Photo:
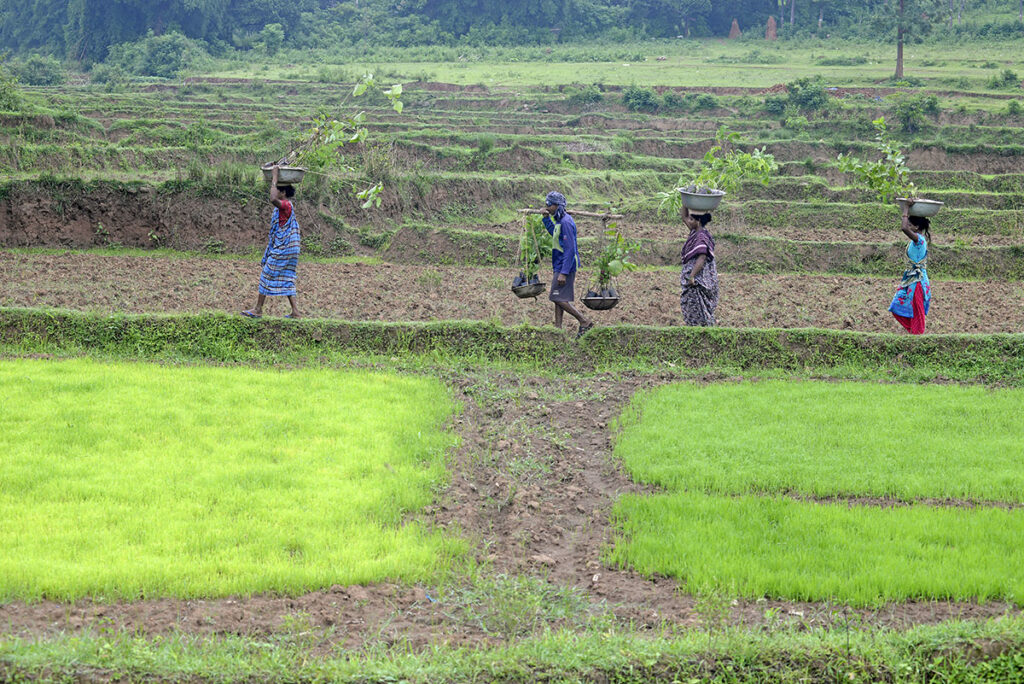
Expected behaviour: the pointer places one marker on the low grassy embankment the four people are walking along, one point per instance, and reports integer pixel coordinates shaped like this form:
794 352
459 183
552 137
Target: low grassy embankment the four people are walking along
220 338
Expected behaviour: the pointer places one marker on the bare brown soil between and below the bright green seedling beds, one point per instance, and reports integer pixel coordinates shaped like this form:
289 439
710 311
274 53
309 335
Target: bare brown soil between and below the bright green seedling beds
548 520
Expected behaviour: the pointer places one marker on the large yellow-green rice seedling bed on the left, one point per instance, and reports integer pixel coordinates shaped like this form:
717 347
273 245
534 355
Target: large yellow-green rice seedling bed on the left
122 482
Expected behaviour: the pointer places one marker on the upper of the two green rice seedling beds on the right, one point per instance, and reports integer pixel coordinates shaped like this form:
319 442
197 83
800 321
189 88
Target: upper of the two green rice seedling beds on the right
828 440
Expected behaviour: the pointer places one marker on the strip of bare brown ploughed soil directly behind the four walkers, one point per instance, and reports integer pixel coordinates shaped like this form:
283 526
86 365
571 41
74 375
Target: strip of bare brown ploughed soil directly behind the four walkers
396 292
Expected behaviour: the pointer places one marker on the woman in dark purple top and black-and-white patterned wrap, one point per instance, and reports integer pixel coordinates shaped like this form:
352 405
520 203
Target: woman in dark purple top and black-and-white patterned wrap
700 277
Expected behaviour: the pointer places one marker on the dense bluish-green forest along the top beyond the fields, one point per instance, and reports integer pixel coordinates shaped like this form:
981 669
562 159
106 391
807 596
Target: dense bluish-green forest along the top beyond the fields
87 30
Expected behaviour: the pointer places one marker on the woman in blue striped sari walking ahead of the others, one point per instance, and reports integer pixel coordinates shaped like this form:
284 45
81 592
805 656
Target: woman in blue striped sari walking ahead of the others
282 255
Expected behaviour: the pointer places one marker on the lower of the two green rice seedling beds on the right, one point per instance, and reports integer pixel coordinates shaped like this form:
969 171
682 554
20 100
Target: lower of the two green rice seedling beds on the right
777 547
